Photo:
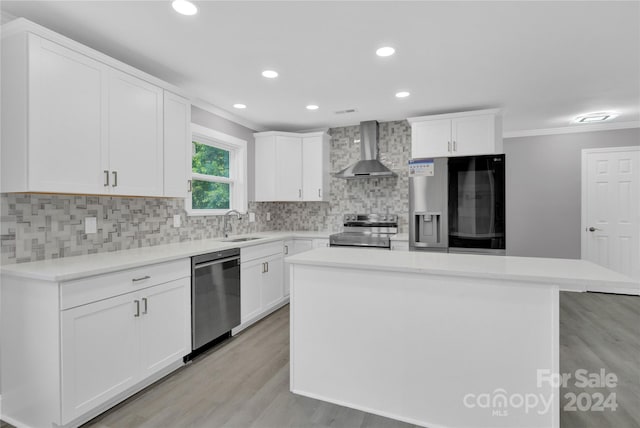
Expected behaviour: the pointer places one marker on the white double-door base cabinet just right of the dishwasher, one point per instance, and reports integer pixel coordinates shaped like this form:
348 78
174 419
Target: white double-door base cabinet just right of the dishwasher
261 281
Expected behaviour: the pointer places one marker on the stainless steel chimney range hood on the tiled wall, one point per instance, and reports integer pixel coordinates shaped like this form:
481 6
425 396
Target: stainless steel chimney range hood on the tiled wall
368 166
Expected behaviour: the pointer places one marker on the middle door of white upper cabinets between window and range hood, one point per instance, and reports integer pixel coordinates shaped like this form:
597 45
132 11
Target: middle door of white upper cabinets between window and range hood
288 168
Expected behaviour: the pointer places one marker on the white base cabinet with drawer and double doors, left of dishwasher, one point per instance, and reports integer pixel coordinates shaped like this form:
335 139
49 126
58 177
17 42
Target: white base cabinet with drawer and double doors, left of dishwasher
72 349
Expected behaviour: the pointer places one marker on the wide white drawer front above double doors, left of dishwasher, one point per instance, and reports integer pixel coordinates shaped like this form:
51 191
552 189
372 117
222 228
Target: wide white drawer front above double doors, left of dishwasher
87 290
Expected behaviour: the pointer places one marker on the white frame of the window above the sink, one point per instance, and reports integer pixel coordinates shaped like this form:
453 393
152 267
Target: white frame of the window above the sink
237 180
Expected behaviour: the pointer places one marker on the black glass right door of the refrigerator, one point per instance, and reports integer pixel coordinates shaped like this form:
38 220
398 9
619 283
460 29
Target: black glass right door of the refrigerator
477 202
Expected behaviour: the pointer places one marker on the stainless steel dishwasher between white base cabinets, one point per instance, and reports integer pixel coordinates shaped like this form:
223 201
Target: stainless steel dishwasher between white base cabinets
215 296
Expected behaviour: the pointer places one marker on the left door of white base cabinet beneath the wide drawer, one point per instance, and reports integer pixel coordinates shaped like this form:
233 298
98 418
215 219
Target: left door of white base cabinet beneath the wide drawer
100 353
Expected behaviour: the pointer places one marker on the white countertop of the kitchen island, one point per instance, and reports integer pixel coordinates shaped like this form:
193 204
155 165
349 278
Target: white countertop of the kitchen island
568 274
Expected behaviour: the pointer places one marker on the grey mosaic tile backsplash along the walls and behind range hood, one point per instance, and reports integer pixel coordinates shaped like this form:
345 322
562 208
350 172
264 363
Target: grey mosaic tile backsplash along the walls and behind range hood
39 227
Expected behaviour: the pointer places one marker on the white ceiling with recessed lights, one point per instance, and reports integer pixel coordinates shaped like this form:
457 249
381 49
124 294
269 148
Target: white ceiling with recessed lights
543 62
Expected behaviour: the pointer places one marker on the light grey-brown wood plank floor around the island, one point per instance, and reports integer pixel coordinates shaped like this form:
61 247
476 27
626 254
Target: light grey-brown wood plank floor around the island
245 382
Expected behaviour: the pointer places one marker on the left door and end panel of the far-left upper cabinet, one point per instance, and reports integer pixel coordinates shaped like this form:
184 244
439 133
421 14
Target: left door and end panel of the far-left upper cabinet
53 101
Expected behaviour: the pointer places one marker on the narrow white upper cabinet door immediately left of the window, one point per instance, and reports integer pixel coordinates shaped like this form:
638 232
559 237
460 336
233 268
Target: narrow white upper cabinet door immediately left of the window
177 145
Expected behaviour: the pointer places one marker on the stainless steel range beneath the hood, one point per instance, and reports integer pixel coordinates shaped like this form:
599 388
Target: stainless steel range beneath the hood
366 230
